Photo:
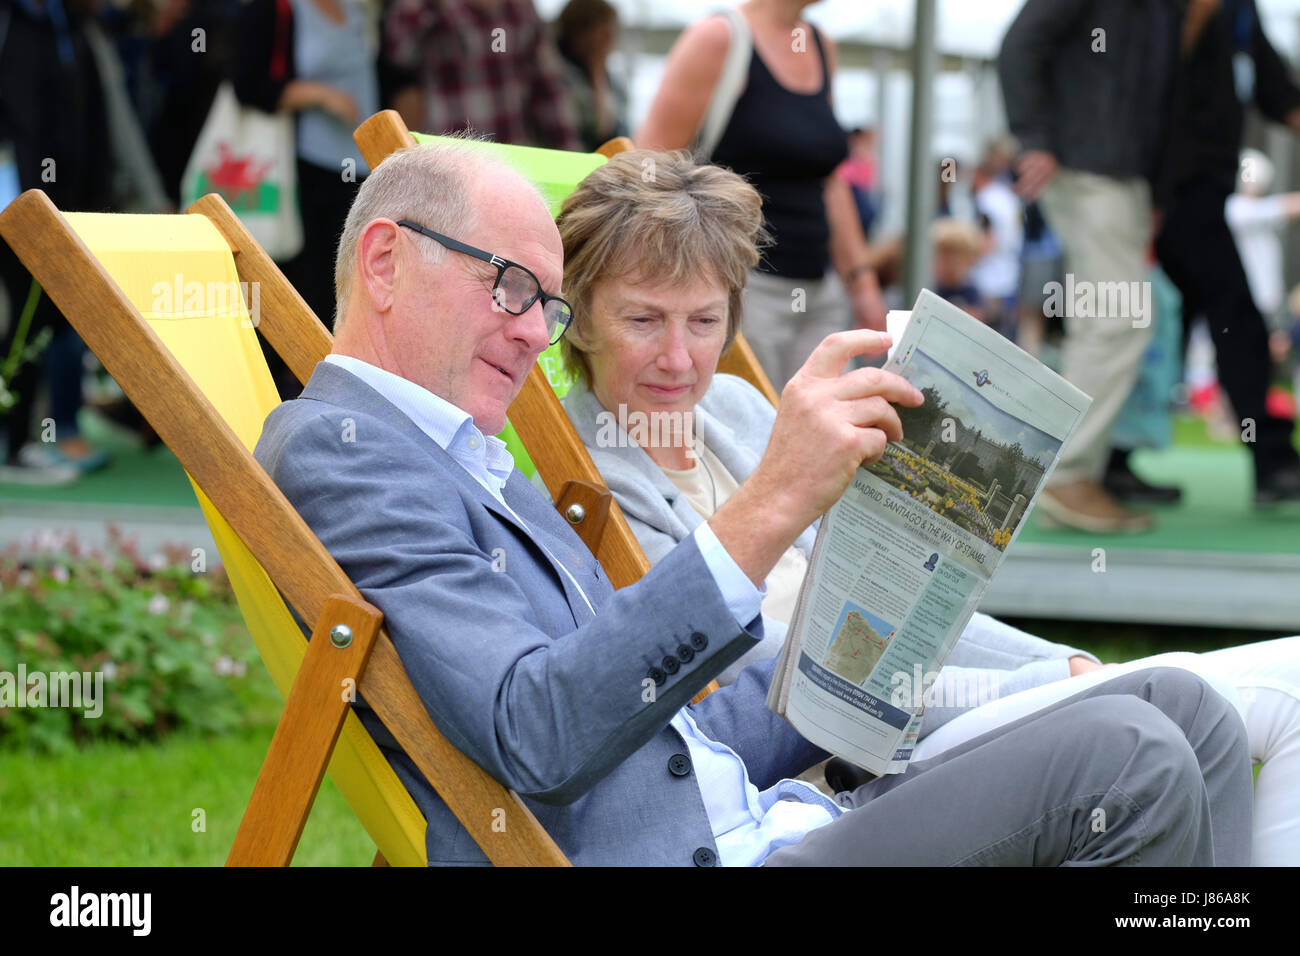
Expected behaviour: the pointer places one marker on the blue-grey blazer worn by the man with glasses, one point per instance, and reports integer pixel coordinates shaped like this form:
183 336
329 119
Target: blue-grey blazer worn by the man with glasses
566 707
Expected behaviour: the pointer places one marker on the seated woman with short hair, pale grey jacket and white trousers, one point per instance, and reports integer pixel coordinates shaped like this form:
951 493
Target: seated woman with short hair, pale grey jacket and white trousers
655 267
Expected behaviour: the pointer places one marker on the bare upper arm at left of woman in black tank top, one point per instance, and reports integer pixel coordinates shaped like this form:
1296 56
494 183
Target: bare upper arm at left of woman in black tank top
690 77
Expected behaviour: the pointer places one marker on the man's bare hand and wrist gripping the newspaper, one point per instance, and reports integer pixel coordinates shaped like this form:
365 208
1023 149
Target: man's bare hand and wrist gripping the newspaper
827 426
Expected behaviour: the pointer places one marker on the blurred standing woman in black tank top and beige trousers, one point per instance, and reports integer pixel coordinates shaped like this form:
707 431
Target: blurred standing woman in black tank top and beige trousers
785 139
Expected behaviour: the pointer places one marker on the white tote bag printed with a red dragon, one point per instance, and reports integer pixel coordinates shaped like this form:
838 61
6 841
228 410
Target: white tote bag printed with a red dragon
249 158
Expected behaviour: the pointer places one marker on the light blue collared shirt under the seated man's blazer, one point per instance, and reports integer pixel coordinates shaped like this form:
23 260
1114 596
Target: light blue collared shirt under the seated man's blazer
747 824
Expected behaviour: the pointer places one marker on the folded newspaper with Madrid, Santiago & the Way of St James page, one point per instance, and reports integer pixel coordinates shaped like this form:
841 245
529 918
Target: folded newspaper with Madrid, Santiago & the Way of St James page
903 560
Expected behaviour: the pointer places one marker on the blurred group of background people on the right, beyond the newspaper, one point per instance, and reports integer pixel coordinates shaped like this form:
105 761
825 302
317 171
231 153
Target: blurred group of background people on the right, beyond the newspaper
1124 167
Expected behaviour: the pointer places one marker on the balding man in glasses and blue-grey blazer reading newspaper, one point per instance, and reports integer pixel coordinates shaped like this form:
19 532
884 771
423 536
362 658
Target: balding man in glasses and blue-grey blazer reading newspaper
578 697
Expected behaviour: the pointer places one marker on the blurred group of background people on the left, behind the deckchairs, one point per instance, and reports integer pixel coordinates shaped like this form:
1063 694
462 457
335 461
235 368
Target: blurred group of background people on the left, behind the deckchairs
102 106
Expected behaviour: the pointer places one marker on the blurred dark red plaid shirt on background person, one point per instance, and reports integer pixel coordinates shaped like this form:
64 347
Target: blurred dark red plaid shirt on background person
487 66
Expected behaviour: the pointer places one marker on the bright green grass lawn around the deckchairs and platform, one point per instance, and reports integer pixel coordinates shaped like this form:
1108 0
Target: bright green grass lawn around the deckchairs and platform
118 804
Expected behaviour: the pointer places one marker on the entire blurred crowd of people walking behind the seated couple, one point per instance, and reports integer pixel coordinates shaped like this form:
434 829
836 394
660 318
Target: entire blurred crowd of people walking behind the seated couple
1120 175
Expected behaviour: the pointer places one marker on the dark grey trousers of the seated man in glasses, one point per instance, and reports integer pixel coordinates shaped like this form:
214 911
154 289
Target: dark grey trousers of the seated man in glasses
1149 769
